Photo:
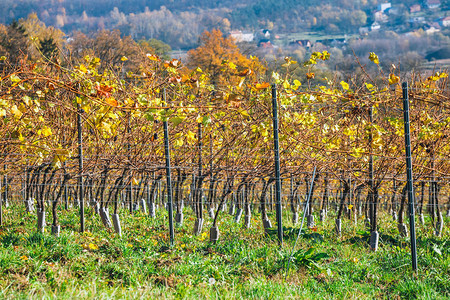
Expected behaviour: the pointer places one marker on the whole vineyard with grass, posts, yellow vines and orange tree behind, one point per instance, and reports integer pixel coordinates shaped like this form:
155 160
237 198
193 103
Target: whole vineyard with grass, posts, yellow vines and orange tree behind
147 178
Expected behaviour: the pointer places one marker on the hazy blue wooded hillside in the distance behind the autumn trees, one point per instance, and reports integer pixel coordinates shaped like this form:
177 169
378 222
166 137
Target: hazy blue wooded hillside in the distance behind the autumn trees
180 22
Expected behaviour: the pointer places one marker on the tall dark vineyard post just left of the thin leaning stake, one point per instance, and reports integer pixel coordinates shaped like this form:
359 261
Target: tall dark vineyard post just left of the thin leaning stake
277 165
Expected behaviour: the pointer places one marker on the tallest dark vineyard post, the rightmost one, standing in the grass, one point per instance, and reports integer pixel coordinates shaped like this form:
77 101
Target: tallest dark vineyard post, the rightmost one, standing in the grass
409 177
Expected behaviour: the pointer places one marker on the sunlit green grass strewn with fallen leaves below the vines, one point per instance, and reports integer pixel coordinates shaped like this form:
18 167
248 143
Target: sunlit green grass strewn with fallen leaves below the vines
243 264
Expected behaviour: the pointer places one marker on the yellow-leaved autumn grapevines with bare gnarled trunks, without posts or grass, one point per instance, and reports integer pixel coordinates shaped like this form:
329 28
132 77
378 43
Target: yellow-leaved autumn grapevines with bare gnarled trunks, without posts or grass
221 140
